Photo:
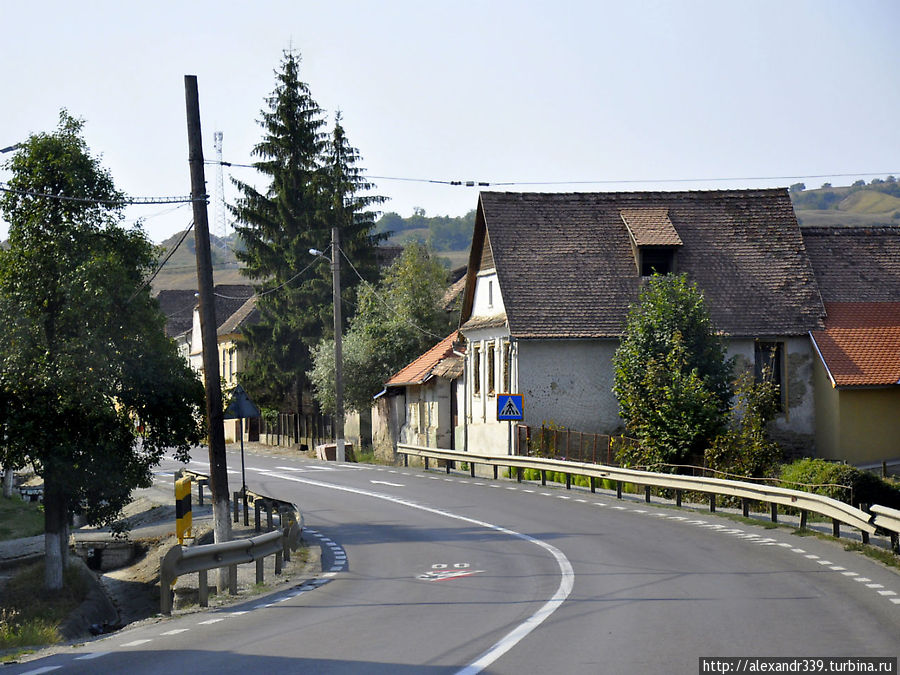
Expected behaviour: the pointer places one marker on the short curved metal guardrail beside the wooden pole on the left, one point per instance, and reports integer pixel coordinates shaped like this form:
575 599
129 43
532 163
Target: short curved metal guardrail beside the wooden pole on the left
180 560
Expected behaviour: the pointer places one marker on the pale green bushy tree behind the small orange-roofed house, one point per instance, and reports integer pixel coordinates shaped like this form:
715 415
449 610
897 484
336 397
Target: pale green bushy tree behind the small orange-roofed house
396 322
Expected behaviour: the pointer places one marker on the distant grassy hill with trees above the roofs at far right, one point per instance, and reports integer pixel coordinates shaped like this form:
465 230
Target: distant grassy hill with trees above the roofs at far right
877 203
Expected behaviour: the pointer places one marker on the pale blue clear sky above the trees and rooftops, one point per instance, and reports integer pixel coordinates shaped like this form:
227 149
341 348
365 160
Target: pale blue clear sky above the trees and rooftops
561 95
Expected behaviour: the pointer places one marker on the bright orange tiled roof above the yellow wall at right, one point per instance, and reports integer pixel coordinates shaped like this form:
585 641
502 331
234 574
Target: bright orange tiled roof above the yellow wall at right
861 343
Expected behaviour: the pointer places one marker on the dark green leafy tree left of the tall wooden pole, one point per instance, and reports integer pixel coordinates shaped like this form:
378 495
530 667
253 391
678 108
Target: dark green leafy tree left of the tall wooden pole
82 345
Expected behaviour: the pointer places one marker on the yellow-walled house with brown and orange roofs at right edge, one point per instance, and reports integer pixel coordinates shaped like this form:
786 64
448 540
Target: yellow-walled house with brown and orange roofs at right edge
857 365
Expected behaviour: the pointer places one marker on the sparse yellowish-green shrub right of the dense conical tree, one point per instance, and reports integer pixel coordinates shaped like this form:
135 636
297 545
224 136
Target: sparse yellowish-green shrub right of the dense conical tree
745 449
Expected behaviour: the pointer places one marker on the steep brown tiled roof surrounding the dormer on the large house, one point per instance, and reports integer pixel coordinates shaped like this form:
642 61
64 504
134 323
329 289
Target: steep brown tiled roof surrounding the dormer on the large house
567 270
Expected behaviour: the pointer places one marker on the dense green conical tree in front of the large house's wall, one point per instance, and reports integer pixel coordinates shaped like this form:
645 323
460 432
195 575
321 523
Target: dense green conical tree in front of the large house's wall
672 380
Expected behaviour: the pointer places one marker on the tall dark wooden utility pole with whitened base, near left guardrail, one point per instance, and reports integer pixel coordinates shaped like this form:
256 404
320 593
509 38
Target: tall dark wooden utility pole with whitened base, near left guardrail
217 467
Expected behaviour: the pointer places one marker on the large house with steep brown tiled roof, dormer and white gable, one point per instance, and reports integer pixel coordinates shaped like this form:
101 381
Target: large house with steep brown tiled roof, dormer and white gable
551 277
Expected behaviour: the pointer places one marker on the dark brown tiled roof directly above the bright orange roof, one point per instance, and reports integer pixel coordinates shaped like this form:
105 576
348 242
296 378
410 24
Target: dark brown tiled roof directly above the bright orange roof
855 264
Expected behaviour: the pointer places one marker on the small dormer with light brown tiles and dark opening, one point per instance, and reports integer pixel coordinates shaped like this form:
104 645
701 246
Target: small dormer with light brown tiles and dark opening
654 240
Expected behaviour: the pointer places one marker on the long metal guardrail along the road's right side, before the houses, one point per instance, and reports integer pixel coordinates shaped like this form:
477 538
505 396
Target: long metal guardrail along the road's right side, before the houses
807 502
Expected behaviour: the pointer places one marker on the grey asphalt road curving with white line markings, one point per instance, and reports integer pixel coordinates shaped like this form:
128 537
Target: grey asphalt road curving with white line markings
429 573
